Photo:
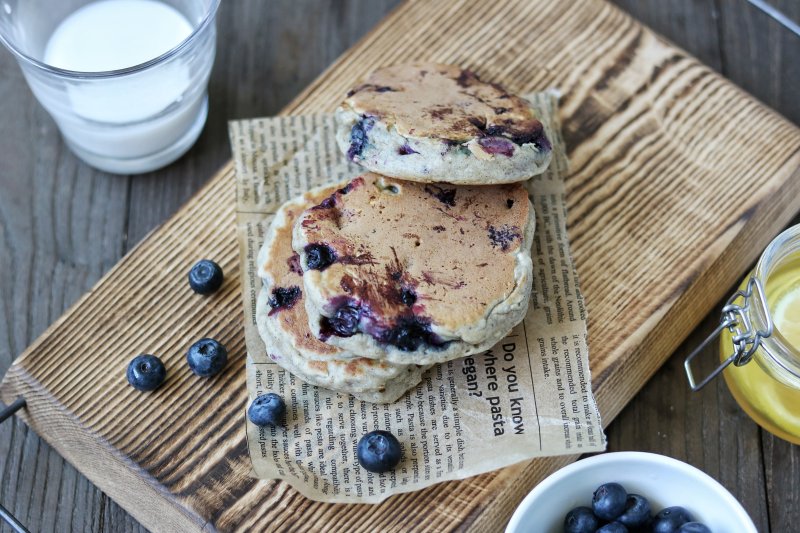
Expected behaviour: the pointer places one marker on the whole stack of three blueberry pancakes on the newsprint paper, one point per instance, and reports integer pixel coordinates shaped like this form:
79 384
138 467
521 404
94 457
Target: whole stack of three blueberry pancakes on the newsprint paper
424 258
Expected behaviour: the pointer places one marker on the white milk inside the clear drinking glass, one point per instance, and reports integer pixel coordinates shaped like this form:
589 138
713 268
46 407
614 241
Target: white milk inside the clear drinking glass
153 113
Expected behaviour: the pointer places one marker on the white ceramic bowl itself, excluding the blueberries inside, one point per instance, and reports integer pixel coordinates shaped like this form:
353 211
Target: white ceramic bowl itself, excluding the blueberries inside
662 480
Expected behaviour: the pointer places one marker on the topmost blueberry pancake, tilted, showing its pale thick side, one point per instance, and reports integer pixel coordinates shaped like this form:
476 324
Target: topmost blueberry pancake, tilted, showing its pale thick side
434 122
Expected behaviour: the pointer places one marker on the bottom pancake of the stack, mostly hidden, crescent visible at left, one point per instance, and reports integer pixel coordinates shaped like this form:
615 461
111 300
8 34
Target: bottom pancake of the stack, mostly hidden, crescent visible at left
283 323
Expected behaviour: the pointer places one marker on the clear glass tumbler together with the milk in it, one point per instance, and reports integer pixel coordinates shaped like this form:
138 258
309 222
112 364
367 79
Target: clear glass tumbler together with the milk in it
125 80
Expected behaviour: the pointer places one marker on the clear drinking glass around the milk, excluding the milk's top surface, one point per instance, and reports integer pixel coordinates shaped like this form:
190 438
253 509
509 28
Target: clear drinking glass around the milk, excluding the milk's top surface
125 121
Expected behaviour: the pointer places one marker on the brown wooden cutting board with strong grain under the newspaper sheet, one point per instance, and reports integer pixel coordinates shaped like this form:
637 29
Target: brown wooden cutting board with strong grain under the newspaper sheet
678 181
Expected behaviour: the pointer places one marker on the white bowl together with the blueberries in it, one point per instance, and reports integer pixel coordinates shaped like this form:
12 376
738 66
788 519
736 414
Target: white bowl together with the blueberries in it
630 492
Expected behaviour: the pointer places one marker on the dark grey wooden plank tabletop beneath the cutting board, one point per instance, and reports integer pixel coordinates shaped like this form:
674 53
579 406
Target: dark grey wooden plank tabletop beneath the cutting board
63 224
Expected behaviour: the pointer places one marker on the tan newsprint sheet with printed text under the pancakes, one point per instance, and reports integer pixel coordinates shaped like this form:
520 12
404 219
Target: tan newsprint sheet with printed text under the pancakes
529 396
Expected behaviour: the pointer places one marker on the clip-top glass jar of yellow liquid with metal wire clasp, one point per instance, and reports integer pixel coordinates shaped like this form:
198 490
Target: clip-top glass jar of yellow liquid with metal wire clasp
760 335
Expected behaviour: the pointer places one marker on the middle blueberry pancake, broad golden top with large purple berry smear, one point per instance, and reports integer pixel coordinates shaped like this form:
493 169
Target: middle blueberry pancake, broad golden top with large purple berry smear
416 273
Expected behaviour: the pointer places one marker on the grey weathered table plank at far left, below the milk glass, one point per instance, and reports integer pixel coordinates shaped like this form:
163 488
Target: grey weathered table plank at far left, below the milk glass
60 229
